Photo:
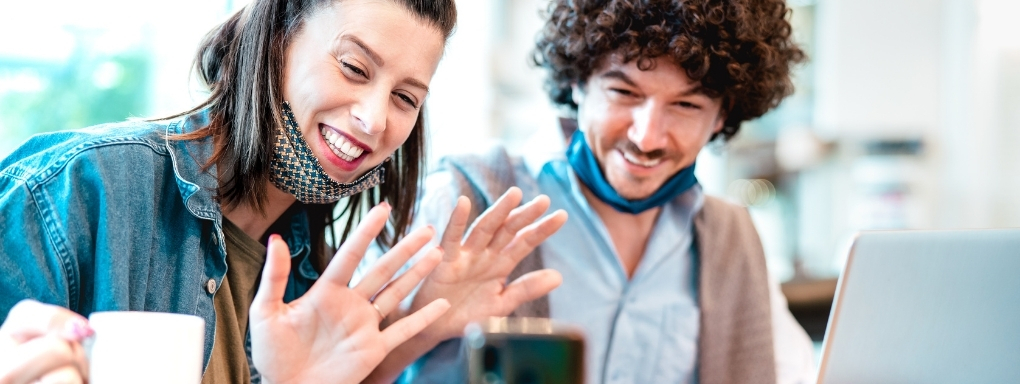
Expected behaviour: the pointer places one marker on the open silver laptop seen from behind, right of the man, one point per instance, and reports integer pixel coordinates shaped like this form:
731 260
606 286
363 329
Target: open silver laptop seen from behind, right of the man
927 307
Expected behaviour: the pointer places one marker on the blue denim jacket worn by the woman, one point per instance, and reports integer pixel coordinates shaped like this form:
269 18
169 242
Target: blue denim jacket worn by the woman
119 218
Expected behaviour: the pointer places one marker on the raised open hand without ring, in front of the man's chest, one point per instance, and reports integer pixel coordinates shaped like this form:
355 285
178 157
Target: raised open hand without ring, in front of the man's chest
473 276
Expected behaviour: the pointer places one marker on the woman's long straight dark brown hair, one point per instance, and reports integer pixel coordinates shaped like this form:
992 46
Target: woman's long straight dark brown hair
242 63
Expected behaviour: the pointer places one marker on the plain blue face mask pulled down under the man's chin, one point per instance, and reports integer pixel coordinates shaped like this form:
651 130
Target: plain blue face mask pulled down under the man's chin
585 165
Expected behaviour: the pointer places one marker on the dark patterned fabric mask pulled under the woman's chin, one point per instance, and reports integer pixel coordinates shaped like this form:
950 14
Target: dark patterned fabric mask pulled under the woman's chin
296 171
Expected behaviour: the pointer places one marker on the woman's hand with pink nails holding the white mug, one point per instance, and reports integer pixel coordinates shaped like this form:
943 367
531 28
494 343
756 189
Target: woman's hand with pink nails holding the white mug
43 343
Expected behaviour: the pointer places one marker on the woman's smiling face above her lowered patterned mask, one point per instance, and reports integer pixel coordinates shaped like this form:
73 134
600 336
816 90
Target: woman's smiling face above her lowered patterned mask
355 76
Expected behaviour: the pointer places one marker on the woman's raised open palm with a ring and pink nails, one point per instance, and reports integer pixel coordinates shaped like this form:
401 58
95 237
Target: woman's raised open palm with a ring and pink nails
333 332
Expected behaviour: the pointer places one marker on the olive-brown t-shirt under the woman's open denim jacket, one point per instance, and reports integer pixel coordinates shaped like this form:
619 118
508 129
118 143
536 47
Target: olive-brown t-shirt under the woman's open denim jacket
245 259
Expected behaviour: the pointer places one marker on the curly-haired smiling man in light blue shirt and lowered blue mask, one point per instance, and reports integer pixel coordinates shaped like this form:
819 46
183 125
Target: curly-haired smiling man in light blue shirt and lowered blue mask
670 285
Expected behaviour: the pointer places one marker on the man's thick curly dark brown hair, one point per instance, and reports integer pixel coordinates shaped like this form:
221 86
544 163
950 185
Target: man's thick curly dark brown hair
740 51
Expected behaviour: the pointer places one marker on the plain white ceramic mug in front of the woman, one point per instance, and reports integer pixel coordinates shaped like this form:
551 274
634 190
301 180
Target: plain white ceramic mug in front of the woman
146 348
